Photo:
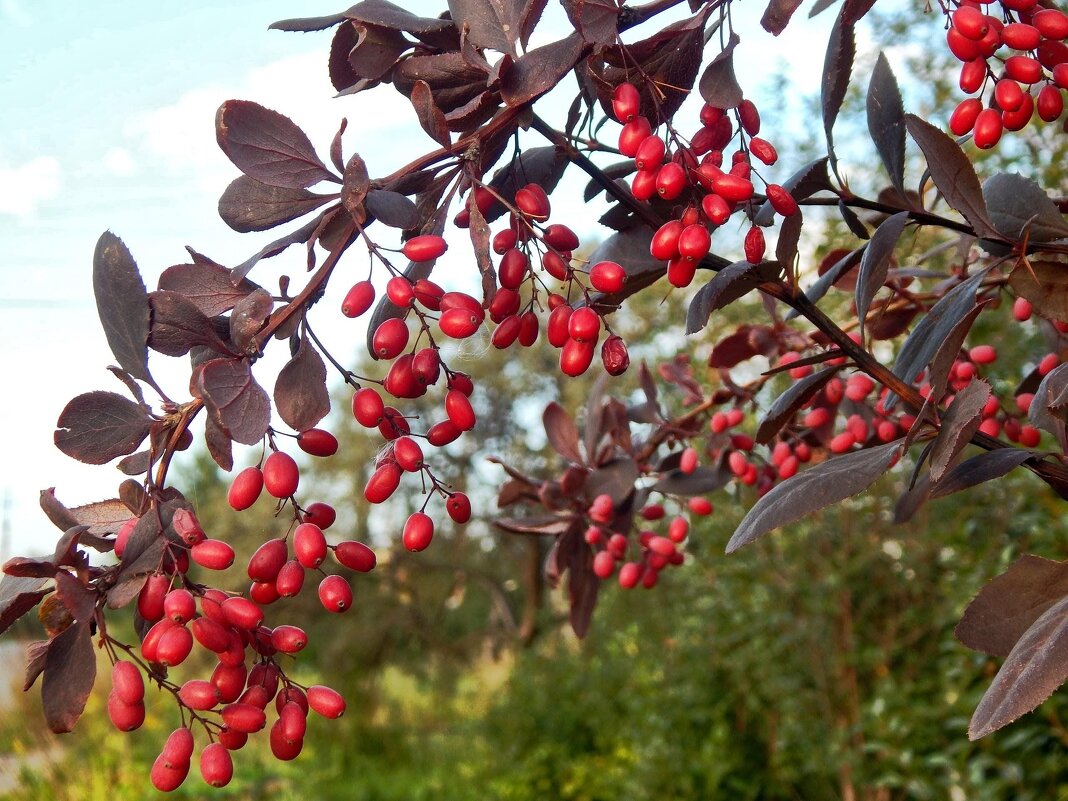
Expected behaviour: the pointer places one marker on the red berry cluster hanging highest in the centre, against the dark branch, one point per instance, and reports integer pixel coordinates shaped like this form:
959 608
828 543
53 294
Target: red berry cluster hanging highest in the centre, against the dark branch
693 176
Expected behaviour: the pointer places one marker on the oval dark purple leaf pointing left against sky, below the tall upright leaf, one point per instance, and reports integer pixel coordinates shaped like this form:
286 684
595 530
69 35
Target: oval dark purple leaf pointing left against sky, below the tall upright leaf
100 427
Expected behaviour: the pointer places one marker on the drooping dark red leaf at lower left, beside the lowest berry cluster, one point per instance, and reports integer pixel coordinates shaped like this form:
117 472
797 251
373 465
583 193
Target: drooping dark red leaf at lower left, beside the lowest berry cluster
70 674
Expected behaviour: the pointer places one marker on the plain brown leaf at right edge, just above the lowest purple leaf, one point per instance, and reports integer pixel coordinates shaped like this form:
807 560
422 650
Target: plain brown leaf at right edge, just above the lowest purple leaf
1010 605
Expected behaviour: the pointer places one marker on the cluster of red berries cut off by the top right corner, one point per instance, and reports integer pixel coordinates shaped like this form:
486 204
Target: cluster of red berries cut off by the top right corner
1029 81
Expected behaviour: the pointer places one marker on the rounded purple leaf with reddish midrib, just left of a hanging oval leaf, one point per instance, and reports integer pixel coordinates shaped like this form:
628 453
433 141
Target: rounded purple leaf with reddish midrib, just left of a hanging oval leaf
234 399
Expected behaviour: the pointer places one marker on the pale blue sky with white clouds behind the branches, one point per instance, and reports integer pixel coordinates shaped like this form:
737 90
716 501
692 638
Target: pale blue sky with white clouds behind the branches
109 113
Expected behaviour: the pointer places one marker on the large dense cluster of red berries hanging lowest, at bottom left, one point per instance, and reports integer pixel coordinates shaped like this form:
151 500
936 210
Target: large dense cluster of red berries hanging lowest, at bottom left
232 703
